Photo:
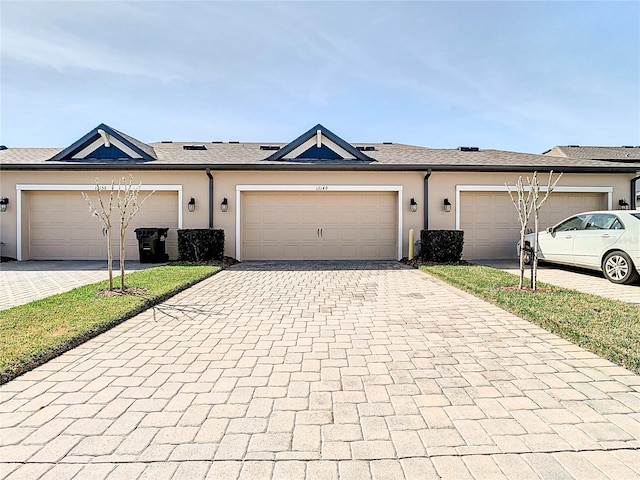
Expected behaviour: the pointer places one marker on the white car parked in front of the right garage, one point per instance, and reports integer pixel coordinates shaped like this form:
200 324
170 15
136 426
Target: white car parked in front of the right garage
608 241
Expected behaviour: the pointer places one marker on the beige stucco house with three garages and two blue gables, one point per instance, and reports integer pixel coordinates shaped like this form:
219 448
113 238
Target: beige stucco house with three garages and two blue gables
317 197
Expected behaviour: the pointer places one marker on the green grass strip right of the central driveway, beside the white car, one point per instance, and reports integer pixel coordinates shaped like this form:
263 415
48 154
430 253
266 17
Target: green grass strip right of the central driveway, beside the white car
609 328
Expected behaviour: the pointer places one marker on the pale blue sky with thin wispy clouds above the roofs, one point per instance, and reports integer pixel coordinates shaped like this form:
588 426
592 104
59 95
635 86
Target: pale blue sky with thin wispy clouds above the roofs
508 75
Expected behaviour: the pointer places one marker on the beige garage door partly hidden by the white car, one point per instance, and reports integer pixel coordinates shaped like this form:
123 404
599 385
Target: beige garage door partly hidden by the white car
490 221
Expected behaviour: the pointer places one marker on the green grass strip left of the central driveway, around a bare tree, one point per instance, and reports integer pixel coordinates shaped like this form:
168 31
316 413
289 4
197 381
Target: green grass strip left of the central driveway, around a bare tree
34 333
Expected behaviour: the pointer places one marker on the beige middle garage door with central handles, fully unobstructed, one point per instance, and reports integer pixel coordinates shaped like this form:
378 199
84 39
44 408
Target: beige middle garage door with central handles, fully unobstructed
319 225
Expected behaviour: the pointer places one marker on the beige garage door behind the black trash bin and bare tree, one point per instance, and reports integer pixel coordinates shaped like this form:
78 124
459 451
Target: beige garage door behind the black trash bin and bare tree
60 226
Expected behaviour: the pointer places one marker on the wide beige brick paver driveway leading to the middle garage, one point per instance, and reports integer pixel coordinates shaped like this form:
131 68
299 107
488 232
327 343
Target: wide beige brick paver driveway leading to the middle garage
348 371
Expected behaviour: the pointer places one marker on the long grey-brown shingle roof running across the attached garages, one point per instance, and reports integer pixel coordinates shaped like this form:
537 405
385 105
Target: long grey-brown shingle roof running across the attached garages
250 156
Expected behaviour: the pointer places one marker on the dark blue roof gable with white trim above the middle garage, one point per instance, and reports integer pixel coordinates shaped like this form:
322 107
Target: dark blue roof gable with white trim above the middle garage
319 145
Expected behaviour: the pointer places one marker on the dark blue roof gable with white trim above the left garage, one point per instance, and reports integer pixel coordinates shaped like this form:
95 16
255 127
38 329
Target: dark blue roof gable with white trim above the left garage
104 143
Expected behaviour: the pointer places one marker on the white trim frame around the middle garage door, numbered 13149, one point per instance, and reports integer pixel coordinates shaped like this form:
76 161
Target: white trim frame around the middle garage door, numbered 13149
316 188
